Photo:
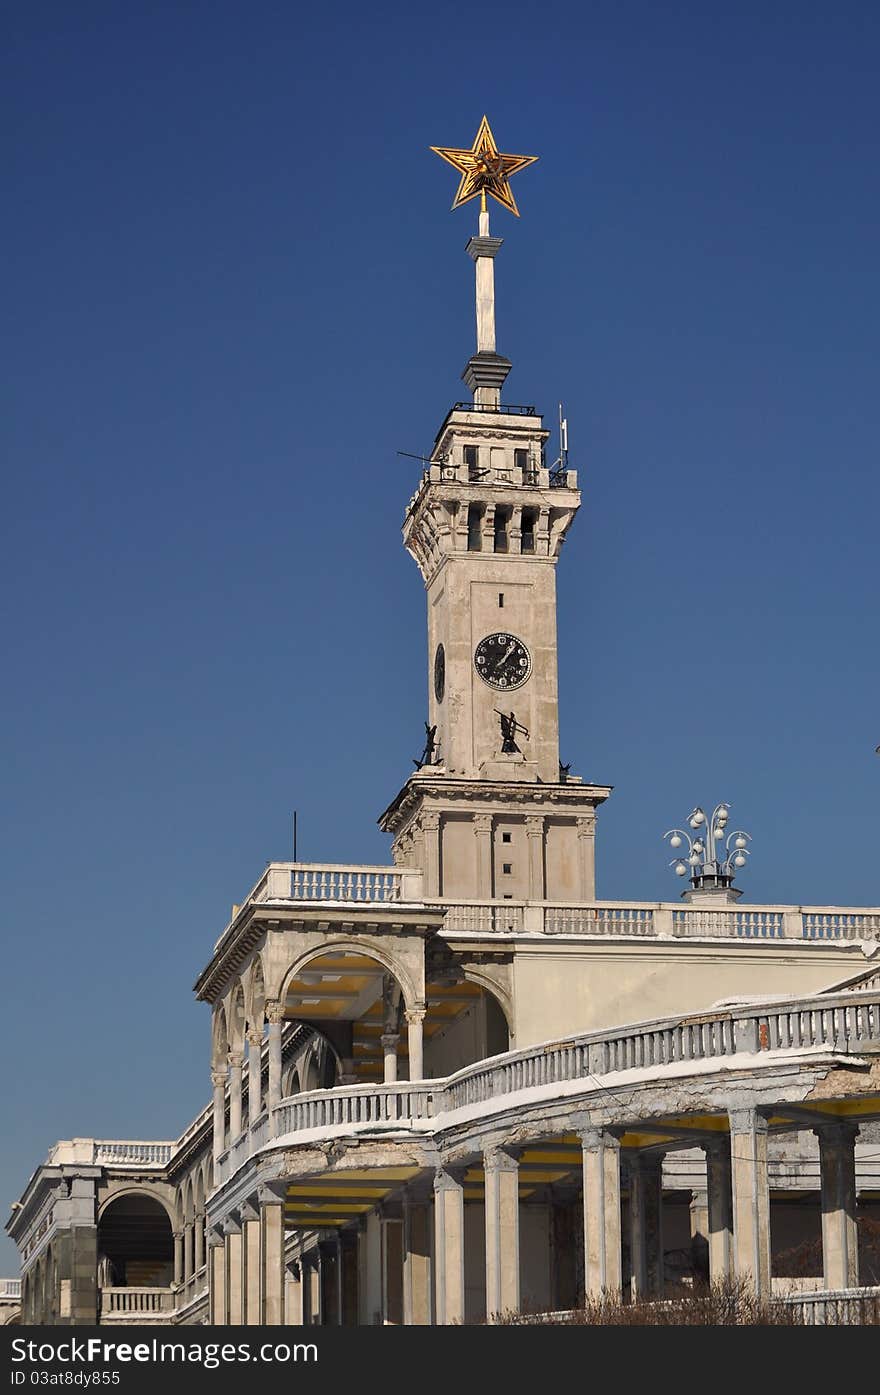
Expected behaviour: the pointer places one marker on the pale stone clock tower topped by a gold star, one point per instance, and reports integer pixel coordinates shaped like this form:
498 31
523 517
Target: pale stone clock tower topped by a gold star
494 815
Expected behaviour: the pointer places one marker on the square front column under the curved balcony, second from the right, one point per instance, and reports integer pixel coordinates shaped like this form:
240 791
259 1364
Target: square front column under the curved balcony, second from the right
751 1196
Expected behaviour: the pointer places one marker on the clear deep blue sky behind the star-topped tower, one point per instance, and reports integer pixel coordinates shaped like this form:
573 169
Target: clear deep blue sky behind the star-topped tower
235 289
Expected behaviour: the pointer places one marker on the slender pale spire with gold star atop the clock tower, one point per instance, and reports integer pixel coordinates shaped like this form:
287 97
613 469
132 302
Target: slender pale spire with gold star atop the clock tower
485 171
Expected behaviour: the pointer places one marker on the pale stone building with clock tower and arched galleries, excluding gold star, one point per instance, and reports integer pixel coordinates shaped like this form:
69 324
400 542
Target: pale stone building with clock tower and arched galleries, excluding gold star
461 1086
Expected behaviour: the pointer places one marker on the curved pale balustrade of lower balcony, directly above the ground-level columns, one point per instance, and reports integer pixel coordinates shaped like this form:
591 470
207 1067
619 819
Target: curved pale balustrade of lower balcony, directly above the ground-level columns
842 1025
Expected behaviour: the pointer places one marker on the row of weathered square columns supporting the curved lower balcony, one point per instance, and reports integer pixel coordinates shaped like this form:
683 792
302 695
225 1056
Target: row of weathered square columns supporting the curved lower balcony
412 1260
